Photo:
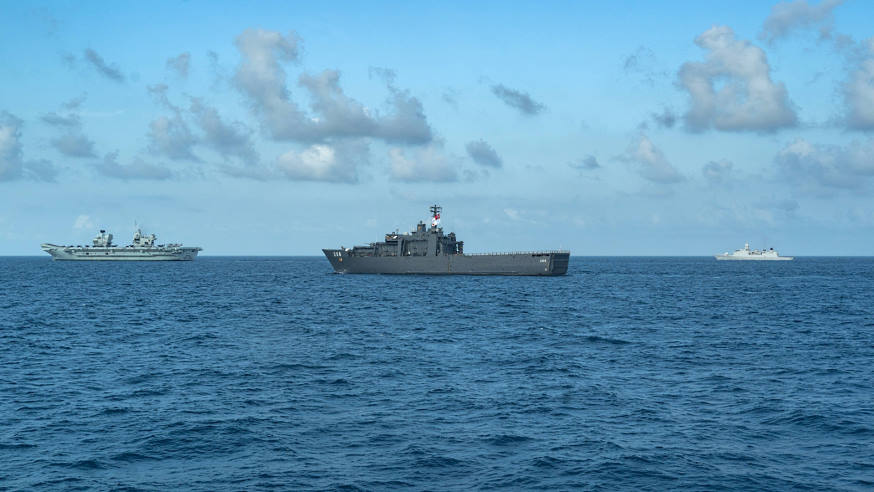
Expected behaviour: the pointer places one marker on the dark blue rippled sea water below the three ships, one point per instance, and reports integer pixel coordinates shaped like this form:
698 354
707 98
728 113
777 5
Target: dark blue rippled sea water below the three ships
260 373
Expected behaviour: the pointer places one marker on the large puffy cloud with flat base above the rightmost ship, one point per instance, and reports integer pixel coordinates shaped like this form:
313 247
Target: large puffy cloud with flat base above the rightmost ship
732 90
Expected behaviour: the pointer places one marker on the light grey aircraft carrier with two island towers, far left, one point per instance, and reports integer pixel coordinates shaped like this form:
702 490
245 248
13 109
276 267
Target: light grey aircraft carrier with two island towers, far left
143 248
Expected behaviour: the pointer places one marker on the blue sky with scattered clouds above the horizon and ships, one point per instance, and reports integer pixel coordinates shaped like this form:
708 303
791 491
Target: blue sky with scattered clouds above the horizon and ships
281 128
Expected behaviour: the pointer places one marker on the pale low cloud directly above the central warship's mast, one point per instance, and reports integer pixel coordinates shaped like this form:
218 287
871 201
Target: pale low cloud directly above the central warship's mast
427 163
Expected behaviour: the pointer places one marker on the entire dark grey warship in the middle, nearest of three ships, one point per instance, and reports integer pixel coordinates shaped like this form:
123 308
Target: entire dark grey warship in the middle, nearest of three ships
429 251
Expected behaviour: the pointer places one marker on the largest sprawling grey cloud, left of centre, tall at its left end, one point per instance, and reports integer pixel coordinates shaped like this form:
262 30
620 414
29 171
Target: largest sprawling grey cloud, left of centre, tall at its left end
333 114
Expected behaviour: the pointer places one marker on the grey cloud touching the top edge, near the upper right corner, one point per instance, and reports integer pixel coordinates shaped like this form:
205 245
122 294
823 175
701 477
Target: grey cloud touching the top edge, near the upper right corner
790 16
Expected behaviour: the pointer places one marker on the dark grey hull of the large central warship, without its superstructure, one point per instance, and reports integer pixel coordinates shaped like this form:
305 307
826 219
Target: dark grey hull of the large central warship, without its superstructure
537 264
